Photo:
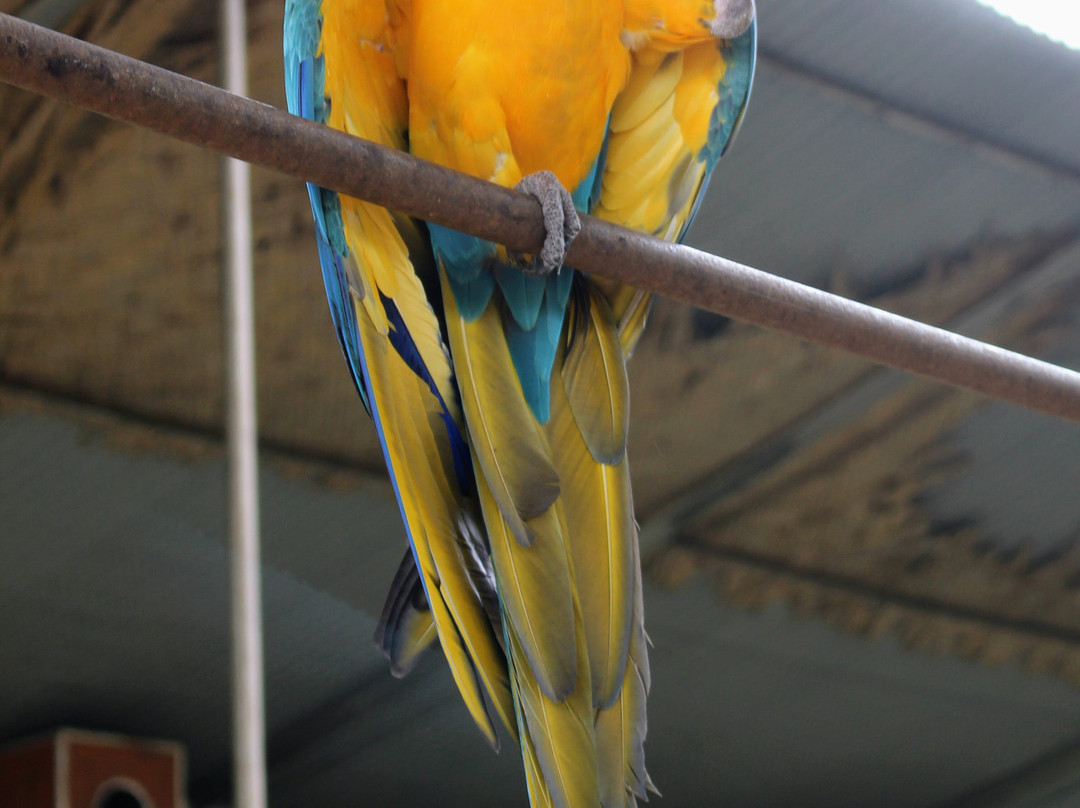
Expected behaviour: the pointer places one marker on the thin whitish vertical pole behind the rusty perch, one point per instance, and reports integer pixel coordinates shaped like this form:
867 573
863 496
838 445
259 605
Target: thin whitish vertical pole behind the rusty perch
241 427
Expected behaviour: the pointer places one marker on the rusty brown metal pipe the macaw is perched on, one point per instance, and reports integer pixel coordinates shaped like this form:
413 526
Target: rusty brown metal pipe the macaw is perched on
102 82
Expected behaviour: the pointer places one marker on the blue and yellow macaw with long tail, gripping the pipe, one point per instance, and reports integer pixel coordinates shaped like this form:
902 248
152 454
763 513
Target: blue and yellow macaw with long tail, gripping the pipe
498 383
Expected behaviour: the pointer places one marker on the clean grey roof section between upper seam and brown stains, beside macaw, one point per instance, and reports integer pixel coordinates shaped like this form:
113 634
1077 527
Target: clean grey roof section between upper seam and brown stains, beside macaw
817 187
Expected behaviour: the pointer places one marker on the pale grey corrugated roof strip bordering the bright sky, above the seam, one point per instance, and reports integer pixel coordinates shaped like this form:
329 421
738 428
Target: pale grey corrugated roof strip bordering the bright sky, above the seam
955 61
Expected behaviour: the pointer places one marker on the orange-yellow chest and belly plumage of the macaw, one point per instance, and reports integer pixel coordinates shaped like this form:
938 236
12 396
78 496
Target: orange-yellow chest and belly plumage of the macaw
504 90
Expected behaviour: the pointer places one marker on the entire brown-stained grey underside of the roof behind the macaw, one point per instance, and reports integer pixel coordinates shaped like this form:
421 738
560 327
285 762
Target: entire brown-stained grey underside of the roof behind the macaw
862 588
